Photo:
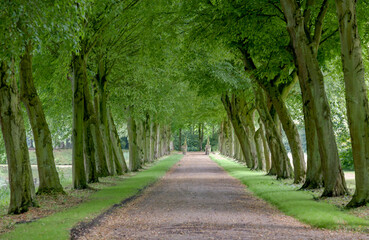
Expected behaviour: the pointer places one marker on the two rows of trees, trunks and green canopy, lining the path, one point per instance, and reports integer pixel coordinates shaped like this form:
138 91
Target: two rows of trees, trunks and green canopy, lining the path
254 80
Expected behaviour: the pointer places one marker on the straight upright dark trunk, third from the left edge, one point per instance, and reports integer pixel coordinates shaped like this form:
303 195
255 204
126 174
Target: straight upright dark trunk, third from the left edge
78 168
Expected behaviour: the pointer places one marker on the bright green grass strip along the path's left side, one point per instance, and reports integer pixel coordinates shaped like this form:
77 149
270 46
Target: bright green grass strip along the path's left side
57 226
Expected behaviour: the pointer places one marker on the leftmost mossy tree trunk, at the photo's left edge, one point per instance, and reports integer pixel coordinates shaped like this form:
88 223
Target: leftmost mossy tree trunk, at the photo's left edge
22 189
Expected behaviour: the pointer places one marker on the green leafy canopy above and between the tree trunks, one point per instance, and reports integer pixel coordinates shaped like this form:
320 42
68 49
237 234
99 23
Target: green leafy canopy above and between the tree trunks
170 60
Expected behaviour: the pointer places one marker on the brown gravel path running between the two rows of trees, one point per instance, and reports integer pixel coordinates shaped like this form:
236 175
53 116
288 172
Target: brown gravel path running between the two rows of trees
199 200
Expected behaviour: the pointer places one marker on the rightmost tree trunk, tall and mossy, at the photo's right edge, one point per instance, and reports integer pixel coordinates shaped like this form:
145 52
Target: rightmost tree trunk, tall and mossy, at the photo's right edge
356 98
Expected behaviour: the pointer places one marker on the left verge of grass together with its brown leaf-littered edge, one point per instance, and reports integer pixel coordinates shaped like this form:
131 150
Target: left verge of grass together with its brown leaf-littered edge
82 205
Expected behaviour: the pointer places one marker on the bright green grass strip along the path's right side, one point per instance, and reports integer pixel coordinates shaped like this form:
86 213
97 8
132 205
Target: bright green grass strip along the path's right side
298 204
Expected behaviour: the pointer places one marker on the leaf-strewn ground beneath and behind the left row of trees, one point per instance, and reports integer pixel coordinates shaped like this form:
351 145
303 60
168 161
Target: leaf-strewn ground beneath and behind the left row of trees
54 203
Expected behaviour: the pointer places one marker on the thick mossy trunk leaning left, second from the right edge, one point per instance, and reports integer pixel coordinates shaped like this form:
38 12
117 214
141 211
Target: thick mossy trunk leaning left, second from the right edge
310 73
